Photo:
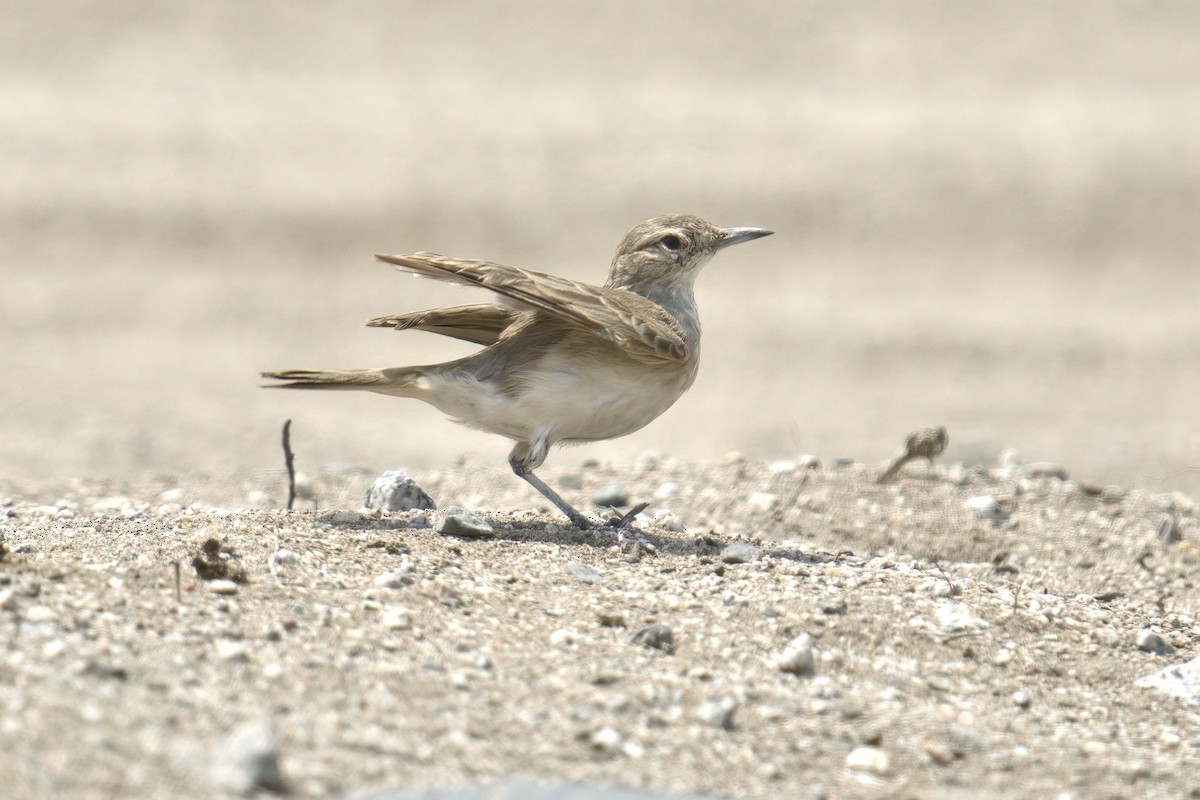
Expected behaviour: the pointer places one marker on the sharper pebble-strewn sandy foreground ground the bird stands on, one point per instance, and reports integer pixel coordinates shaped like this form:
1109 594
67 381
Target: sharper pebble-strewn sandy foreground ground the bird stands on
949 654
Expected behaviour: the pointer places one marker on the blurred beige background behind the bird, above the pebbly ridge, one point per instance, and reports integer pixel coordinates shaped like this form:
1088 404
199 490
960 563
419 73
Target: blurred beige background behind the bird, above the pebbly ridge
988 218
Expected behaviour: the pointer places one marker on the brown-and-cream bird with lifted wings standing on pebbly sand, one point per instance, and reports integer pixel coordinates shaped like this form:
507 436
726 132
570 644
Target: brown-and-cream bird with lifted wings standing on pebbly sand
563 362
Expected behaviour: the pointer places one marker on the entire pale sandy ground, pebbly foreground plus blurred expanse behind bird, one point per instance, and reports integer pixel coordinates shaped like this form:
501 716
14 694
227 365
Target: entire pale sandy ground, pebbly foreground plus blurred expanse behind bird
986 219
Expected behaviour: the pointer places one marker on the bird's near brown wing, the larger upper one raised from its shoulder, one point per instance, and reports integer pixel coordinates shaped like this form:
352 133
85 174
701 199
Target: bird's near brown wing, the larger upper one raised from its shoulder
643 329
